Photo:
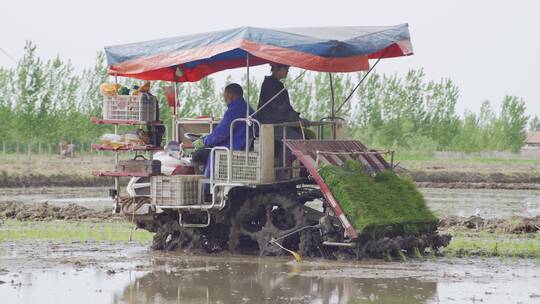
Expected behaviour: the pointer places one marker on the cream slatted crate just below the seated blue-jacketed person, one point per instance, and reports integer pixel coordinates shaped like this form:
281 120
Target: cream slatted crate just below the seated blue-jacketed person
242 171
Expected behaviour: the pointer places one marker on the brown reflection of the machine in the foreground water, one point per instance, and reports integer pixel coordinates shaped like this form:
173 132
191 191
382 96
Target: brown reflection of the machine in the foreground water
208 282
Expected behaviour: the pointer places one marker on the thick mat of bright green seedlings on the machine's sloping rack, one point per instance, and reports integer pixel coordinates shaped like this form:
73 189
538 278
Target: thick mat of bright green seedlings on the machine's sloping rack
373 204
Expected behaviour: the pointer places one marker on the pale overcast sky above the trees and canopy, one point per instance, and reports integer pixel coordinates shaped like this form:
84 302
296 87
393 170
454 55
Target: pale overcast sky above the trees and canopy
489 48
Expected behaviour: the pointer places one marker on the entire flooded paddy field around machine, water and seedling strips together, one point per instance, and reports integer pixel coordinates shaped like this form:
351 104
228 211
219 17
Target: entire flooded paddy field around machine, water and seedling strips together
93 261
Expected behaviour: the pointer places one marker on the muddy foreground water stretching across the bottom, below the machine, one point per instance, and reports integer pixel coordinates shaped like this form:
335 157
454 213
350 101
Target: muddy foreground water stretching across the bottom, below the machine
128 273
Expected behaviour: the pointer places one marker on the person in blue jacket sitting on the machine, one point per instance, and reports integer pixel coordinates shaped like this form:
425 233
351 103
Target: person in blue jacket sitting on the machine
220 136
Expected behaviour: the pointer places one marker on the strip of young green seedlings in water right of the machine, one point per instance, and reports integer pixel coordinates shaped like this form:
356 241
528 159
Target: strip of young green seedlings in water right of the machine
486 244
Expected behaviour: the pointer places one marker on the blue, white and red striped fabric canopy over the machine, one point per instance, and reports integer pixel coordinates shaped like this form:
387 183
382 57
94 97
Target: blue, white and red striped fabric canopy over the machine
323 49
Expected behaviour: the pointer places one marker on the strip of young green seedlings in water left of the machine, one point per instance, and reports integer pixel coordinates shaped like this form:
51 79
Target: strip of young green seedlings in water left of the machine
68 231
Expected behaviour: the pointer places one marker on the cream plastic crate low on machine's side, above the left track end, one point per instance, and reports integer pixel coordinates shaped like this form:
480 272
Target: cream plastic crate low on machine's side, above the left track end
176 190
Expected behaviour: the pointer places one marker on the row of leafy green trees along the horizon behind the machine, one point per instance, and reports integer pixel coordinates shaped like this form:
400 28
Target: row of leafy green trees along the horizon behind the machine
48 100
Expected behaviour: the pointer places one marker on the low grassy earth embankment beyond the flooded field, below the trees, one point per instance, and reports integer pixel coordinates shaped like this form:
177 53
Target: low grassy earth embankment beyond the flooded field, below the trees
469 173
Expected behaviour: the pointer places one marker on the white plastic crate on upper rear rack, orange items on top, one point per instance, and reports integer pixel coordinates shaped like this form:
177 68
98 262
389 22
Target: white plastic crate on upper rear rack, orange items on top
126 107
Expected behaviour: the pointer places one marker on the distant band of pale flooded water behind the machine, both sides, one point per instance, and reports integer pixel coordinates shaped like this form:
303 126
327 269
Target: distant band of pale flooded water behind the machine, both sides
487 203
